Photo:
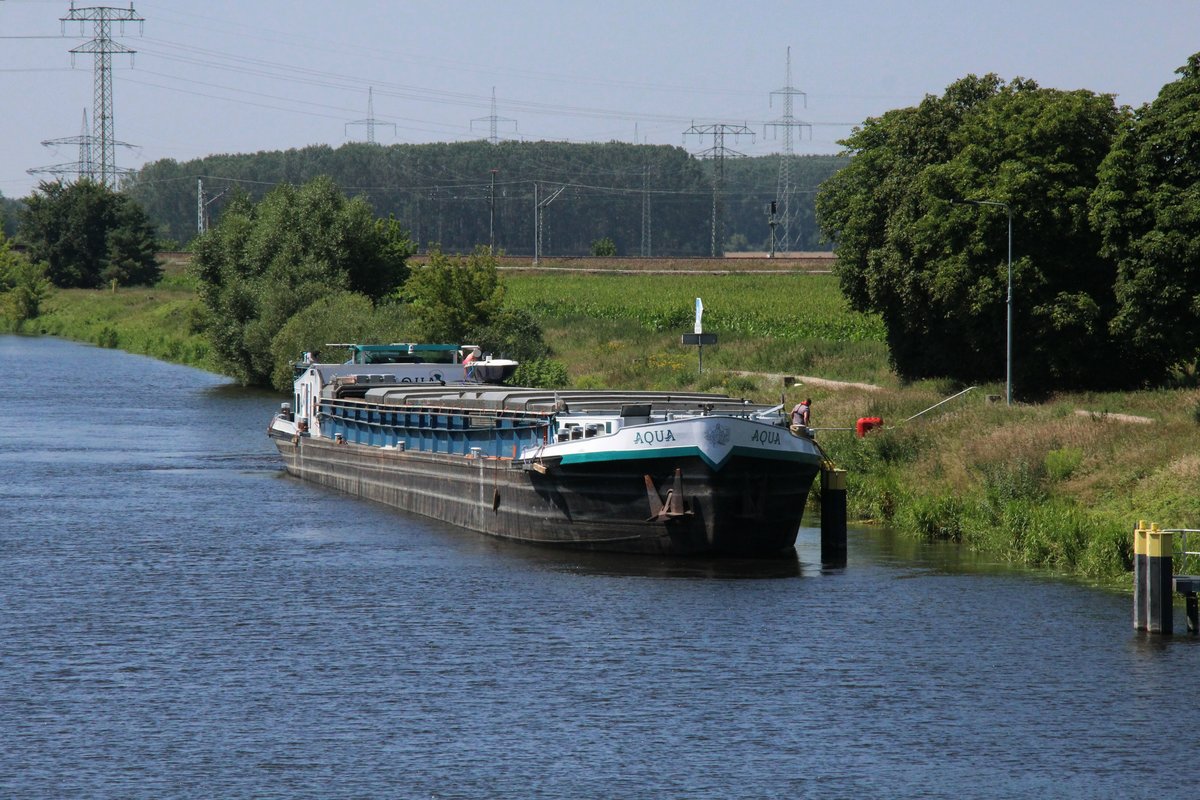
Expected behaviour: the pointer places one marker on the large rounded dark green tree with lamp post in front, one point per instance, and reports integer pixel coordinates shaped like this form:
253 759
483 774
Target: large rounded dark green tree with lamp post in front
937 272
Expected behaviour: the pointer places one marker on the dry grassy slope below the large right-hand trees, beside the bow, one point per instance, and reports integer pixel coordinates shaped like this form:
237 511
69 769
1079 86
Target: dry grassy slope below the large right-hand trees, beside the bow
1040 485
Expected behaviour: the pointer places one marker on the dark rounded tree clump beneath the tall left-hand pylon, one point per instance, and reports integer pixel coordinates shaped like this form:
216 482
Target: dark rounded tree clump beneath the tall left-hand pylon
89 236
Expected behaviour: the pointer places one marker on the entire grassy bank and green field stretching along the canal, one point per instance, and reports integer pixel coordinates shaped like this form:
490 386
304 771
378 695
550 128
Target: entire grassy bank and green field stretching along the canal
1057 485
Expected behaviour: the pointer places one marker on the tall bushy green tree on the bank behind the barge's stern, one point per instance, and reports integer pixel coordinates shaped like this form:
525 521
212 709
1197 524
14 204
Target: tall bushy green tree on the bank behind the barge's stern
265 263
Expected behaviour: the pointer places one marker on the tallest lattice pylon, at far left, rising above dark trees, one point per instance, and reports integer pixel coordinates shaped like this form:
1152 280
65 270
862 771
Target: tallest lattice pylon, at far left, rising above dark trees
103 47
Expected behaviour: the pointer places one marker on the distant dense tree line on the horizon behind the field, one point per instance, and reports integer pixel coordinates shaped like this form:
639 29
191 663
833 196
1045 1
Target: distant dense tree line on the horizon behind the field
459 196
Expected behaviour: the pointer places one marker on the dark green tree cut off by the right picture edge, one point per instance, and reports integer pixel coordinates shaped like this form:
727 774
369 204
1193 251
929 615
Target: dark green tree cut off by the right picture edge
1148 210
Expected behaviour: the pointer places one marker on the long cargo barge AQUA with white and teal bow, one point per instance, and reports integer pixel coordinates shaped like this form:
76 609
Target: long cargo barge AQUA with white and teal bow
430 429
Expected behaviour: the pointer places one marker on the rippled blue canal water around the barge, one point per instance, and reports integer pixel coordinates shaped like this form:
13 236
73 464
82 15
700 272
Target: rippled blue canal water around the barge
179 619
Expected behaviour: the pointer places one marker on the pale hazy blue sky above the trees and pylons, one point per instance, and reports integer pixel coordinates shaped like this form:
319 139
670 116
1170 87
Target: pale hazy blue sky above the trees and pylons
225 77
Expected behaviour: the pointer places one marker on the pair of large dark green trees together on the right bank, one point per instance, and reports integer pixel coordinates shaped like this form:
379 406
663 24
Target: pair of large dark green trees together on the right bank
1105 210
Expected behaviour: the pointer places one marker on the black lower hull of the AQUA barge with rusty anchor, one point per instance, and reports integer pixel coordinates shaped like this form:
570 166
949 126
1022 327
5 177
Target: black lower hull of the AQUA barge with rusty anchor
751 508
